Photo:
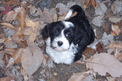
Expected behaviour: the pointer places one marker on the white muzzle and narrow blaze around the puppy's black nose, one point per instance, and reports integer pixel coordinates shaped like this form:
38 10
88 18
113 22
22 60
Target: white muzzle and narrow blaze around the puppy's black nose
63 39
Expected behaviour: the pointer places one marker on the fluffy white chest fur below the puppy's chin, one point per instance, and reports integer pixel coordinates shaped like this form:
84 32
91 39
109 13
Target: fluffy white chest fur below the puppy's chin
65 57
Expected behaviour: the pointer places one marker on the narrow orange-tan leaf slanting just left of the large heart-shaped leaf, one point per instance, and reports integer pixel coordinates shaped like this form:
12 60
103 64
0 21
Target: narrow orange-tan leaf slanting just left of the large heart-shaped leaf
16 57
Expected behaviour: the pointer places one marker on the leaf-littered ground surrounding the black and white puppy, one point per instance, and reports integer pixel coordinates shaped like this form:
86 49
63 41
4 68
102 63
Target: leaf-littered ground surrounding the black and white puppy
22 48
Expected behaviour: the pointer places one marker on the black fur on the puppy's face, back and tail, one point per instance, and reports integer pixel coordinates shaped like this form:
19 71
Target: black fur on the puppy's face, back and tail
81 34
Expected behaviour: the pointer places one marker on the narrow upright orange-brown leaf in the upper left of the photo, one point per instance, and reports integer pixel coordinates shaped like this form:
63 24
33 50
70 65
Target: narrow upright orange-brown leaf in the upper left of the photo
21 18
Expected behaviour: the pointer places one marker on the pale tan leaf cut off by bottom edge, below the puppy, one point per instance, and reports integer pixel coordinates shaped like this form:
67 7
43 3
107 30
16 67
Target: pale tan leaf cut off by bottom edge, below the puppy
79 76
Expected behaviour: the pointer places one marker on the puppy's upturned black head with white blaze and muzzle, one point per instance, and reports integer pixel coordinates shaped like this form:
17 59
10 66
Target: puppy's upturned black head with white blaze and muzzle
59 35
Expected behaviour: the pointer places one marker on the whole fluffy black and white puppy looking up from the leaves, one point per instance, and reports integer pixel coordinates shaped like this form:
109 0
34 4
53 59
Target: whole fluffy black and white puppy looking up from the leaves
67 39
